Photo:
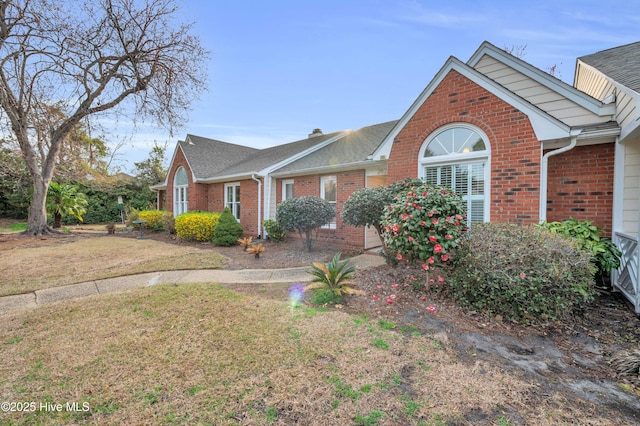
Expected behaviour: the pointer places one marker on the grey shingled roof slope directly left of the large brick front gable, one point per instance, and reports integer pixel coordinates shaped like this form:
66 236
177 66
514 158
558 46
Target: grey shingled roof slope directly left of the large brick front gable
354 148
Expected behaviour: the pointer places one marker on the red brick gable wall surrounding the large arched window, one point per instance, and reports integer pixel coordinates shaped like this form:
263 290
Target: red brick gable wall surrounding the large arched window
515 151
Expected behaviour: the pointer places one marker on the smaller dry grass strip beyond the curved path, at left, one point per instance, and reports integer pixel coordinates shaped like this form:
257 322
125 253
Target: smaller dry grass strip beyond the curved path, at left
61 260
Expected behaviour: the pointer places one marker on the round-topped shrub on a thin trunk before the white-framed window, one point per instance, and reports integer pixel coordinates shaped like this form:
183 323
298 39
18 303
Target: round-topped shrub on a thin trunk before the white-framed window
304 215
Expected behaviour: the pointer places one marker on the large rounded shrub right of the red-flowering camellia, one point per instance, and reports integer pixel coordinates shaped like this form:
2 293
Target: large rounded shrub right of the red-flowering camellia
523 273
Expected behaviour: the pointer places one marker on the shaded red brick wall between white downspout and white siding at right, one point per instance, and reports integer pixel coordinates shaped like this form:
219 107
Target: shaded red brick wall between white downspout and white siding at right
580 185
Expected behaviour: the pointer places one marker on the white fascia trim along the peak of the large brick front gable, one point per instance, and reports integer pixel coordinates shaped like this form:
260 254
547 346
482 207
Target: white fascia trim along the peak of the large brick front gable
545 126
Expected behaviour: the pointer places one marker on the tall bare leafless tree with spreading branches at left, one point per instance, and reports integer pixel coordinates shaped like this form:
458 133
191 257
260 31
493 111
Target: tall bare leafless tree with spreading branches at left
90 58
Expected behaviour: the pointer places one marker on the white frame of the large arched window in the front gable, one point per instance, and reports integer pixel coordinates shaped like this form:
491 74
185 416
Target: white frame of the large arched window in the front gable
463 158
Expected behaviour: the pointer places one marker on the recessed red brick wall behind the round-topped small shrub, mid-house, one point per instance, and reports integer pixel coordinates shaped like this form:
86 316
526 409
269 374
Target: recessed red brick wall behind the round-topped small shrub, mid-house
347 183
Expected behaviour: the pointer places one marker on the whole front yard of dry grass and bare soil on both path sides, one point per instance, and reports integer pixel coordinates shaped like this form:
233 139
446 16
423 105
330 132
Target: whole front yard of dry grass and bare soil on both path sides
242 354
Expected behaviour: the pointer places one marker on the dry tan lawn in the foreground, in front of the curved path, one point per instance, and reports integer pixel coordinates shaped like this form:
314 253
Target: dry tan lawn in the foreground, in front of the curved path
201 354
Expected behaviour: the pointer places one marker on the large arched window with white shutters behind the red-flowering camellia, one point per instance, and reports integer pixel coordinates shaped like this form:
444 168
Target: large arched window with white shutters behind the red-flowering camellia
457 156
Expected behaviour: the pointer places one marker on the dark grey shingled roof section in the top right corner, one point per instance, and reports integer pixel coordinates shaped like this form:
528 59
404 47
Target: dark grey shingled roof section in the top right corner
621 64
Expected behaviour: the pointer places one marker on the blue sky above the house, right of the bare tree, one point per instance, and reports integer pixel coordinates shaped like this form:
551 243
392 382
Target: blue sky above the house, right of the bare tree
280 68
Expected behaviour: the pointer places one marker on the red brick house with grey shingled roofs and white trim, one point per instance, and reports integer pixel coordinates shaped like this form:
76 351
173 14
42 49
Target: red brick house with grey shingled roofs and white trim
518 144
